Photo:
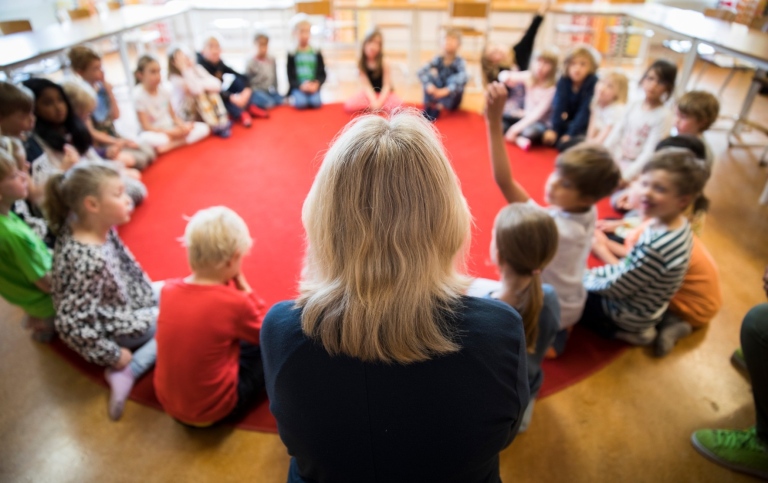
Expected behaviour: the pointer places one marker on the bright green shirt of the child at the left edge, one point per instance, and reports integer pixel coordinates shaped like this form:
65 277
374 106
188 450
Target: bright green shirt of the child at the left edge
24 259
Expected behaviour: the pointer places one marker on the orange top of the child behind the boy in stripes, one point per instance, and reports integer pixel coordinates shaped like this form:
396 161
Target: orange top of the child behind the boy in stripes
699 298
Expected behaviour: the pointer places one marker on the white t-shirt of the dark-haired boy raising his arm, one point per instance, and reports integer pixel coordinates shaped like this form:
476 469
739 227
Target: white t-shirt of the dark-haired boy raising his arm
566 271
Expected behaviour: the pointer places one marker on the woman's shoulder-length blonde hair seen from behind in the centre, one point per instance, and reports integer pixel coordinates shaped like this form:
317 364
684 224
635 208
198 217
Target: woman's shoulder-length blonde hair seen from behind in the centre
386 227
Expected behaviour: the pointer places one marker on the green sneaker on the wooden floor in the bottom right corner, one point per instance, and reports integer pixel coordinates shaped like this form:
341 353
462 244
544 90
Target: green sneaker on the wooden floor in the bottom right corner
737 450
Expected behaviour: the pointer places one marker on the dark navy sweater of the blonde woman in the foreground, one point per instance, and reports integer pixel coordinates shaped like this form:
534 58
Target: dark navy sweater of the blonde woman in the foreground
444 420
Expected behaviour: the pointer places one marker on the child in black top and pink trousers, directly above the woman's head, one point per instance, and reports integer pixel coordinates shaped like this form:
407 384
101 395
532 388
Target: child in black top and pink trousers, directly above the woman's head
377 92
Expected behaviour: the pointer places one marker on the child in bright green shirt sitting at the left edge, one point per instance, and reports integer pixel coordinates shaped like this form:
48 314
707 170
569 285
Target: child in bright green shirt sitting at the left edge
25 262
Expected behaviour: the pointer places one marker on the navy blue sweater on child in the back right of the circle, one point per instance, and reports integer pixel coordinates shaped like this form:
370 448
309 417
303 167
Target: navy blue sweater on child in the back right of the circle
570 110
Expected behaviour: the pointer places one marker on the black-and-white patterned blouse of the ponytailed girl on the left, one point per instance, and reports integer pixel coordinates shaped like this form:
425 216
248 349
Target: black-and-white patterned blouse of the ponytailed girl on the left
100 293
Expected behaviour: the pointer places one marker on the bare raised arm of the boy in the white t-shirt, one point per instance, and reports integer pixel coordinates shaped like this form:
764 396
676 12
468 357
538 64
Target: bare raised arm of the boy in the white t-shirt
496 97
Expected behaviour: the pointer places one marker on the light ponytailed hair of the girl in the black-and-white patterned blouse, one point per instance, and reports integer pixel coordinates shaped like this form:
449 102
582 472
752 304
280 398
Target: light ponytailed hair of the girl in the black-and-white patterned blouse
65 192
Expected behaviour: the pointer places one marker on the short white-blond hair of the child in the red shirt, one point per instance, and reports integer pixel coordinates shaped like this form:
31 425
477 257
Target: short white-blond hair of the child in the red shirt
213 236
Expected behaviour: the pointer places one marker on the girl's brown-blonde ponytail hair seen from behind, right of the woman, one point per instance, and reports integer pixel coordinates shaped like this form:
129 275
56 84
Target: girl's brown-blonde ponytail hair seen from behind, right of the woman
526 241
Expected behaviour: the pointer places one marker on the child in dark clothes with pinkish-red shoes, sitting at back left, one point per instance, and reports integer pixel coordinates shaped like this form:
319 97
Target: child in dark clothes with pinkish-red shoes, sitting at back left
238 97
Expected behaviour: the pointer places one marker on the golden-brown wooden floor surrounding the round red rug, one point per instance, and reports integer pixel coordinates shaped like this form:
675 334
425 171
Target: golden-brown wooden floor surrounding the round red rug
630 422
